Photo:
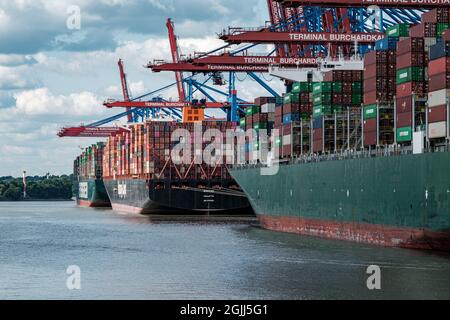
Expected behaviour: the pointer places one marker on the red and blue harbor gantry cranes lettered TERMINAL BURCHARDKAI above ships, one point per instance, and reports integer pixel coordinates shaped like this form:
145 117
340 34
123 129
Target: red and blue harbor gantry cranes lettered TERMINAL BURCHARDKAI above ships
301 30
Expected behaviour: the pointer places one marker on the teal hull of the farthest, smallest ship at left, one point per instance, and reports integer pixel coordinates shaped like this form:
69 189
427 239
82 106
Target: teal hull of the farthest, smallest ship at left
91 193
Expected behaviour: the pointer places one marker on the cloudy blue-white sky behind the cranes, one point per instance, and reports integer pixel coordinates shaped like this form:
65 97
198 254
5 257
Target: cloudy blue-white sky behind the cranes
54 75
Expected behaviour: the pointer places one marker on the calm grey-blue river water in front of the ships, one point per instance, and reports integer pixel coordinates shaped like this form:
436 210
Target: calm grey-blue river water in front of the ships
135 257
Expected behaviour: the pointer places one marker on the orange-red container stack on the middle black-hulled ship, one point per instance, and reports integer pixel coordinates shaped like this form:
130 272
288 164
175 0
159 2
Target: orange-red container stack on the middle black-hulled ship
144 153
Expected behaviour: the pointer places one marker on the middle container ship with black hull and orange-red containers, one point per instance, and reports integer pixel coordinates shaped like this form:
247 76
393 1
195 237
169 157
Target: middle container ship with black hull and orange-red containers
141 177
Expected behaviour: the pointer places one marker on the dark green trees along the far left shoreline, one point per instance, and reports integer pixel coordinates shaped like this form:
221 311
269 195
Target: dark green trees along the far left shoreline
38 188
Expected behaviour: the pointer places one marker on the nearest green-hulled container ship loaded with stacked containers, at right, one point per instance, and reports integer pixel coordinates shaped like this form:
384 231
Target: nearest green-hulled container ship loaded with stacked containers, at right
364 154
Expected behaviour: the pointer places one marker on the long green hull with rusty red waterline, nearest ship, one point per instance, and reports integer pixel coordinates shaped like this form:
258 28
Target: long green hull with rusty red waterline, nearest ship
401 201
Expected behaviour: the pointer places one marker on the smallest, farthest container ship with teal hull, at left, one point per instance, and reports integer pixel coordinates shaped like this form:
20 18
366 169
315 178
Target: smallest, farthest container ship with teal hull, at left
89 188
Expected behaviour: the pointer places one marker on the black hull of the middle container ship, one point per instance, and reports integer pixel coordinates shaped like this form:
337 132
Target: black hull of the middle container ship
150 197
